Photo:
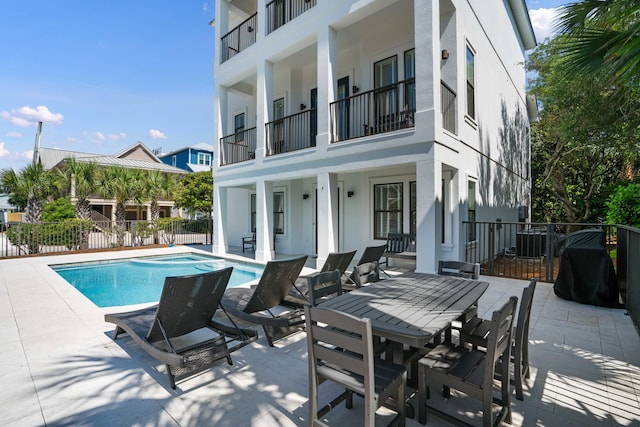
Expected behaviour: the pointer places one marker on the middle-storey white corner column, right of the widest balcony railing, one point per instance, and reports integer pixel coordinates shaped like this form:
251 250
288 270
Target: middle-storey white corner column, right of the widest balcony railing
427 42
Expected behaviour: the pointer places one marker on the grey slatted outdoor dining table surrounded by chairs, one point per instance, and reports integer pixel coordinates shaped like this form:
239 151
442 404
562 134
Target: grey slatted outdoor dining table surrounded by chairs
412 308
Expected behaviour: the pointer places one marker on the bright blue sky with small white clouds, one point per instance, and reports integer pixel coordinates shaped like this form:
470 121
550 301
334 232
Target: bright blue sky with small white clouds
102 75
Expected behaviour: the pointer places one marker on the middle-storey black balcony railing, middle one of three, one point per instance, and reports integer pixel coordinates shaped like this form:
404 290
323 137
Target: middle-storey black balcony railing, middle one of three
292 133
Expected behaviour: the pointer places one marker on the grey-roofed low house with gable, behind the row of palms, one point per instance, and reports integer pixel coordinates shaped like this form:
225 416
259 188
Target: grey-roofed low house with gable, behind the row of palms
137 156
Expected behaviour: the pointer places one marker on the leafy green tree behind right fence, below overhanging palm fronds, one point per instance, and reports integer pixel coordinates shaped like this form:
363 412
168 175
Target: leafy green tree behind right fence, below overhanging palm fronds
586 139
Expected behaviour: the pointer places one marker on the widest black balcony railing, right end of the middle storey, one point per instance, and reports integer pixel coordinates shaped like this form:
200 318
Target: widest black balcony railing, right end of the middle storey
376 111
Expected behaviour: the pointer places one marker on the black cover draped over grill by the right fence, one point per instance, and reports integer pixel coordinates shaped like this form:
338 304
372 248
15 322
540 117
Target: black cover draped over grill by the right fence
586 273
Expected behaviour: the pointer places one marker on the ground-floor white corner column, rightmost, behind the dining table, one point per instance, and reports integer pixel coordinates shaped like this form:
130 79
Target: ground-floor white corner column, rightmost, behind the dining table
428 188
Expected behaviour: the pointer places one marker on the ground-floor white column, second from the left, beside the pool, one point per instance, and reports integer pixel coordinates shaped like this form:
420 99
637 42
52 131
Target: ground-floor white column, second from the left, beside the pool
264 221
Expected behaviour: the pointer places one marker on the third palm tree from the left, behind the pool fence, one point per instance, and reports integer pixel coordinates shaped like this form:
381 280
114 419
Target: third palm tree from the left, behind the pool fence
123 185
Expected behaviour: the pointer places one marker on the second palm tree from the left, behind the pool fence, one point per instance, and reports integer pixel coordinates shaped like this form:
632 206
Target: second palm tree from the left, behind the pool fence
82 179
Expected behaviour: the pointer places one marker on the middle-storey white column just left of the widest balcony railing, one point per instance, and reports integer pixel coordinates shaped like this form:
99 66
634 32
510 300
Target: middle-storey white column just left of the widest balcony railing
327 82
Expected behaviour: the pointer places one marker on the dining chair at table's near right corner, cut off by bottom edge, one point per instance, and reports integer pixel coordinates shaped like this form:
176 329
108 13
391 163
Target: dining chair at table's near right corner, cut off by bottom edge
472 371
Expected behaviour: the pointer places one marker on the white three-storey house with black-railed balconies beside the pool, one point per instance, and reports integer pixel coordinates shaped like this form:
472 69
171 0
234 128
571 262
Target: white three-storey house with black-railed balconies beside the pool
340 121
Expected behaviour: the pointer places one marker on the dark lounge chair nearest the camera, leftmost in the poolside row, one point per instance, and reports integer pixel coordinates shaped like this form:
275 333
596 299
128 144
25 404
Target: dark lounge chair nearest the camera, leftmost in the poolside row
179 330
